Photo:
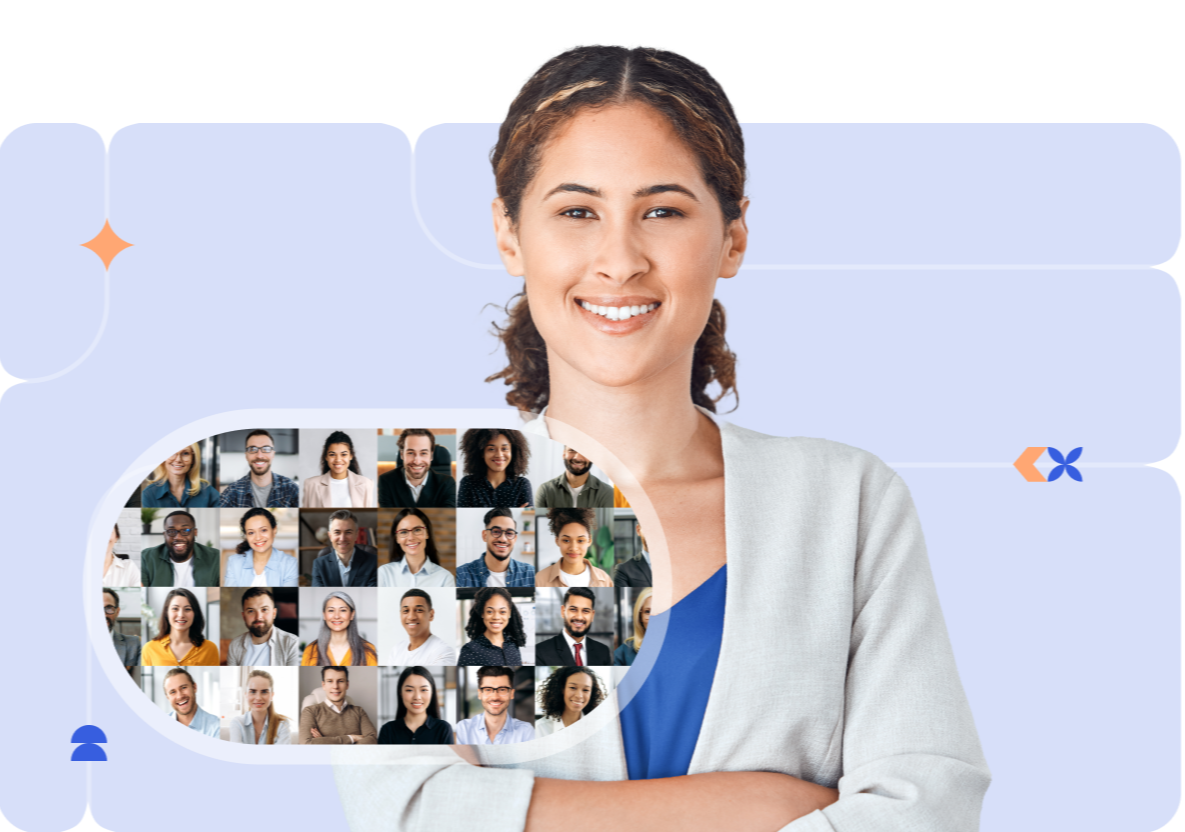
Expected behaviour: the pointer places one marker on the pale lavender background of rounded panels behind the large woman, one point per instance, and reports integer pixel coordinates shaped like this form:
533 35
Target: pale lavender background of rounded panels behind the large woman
252 241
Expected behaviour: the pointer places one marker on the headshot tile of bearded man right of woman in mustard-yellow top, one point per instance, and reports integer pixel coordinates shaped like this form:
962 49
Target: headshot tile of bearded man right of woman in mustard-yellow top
260 628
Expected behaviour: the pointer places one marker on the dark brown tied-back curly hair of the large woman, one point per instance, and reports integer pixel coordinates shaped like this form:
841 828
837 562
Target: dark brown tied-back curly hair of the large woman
696 106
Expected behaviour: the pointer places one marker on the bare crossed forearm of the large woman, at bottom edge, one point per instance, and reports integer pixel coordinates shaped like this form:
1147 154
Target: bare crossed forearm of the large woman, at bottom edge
746 801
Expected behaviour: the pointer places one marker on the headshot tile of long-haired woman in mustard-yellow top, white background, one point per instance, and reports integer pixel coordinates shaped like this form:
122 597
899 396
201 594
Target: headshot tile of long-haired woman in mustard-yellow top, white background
183 628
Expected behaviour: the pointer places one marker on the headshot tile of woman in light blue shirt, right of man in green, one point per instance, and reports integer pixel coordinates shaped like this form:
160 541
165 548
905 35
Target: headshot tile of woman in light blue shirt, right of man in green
259 547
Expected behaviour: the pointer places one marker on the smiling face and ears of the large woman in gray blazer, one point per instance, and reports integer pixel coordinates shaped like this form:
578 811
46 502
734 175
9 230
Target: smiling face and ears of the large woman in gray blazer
619 217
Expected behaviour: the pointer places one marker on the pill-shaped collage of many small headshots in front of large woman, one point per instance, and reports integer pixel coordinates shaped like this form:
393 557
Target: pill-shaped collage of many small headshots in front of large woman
390 586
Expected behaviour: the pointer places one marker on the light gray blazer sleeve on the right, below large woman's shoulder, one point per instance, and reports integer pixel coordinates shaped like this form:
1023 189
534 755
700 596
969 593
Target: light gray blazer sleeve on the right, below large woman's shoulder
912 756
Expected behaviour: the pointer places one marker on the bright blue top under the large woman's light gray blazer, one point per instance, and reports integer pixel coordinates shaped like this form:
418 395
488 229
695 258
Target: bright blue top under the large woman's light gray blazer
661 726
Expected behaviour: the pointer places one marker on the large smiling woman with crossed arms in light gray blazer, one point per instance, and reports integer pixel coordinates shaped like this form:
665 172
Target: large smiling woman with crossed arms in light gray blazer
622 202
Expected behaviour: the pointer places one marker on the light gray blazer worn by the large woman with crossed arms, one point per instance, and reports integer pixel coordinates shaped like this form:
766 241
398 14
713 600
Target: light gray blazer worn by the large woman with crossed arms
824 552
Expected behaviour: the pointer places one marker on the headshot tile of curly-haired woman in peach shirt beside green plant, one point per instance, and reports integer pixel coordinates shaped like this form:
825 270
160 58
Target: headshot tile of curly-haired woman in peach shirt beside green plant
577 548
